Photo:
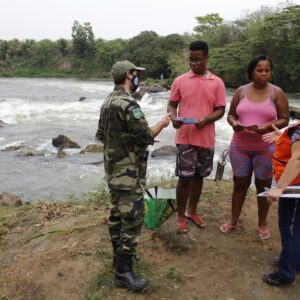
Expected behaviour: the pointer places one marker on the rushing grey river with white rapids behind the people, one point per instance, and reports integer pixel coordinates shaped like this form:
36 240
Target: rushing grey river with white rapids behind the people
37 110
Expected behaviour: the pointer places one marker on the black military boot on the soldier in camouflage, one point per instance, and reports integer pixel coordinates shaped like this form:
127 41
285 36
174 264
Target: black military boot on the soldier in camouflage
124 275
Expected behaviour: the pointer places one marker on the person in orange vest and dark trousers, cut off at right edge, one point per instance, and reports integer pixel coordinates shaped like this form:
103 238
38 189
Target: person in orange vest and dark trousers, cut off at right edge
286 169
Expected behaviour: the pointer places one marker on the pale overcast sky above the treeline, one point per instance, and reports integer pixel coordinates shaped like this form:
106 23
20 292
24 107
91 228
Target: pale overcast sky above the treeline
111 19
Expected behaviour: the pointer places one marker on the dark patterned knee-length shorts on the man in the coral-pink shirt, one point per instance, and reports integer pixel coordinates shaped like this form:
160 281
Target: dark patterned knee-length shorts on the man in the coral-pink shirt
193 161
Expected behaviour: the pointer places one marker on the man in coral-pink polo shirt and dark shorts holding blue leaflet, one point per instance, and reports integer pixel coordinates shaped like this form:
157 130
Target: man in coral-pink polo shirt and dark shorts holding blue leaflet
197 100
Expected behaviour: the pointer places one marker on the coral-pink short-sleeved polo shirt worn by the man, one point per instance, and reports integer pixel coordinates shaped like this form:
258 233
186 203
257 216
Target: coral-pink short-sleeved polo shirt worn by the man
197 97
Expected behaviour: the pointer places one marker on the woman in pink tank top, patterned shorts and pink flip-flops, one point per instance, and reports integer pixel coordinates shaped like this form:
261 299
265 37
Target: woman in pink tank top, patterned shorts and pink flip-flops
254 108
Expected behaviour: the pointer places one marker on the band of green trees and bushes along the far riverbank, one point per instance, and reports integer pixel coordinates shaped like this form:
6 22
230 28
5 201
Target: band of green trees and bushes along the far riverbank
274 31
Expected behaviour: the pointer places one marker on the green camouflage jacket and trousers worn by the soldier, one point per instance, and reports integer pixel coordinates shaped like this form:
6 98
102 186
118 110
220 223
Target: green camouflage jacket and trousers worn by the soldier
125 134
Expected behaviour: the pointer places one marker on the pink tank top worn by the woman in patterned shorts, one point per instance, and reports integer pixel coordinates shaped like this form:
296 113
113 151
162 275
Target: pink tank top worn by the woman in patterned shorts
253 113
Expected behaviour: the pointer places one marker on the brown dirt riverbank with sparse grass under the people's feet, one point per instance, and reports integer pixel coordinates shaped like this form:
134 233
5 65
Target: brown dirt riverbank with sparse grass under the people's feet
62 251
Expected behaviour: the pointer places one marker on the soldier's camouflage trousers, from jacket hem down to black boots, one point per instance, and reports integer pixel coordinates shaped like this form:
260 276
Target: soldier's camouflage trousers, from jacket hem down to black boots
126 219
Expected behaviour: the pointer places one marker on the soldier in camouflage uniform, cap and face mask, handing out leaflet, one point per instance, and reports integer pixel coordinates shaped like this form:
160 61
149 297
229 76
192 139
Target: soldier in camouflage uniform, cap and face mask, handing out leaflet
125 133
